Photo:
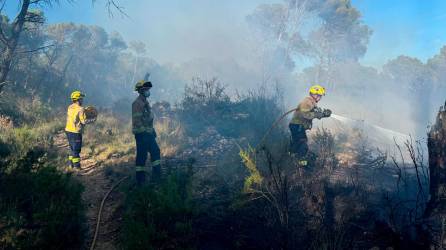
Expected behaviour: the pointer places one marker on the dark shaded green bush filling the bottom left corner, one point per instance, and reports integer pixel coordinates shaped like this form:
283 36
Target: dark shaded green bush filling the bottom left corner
40 208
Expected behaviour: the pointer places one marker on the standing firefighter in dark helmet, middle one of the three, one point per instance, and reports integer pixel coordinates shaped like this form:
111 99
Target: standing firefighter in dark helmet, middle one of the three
145 135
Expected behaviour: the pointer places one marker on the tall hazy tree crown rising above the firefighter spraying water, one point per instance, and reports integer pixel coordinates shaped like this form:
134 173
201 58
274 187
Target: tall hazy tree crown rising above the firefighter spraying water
324 31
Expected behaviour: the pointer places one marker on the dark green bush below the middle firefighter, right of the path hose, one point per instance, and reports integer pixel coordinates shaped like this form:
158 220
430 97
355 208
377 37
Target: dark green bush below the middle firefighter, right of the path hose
160 217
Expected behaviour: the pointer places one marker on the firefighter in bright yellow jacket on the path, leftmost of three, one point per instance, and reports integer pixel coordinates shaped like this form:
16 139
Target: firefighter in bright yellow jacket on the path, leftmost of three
76 121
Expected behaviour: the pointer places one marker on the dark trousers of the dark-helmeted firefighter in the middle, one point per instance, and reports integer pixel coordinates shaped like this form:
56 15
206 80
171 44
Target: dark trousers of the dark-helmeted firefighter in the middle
146 143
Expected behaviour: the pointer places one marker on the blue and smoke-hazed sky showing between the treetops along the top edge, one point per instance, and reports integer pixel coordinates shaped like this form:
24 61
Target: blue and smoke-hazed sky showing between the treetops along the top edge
179 30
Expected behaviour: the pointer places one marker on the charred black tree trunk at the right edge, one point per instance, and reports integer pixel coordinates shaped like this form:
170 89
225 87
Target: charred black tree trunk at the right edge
436 207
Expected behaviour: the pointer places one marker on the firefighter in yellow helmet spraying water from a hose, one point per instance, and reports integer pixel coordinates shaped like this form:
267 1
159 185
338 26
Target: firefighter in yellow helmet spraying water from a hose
302 121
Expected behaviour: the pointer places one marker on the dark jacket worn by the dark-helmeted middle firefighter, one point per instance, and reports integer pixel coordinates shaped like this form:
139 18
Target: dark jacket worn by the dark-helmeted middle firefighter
142 116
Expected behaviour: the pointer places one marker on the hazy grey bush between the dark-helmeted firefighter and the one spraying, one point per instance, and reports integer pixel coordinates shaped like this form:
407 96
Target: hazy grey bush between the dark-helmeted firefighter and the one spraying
206 103
